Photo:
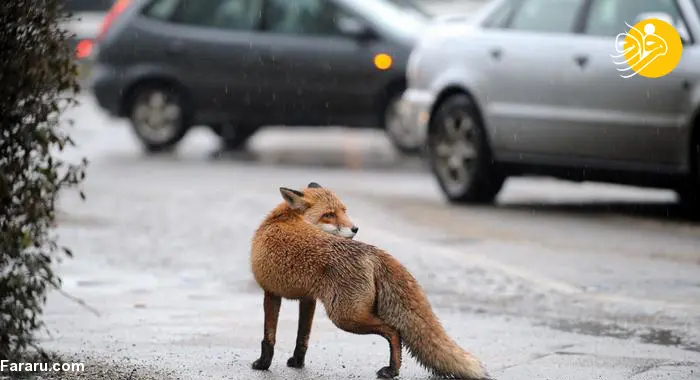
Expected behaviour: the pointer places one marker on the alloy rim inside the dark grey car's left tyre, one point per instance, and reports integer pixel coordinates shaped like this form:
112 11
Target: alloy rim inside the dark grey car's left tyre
157 117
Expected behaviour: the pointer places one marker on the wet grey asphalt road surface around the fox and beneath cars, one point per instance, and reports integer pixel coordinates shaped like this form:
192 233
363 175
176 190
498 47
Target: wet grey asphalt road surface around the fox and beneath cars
558 281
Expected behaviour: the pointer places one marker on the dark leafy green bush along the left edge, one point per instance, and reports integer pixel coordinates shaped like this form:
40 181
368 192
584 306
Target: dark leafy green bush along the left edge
37 82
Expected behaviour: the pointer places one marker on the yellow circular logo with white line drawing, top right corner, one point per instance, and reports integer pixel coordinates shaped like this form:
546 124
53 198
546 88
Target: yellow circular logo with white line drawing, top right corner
652 48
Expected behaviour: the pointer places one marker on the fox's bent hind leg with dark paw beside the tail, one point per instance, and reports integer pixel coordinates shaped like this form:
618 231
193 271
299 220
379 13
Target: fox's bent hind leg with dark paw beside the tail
370 324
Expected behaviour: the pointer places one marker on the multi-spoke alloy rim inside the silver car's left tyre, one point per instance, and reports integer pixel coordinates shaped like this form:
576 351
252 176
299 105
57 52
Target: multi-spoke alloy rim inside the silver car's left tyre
455 151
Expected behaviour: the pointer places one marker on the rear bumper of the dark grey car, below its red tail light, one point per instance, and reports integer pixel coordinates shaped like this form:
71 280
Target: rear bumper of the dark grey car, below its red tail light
105 84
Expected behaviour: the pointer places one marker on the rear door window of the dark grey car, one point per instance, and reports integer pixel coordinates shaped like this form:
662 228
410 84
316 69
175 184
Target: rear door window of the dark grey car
220 14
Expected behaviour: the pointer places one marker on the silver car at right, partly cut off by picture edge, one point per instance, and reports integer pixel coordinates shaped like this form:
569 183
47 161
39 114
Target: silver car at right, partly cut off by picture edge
531 87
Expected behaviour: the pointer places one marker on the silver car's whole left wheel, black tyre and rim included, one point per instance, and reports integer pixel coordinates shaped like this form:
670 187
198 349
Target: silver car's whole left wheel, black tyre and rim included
459 154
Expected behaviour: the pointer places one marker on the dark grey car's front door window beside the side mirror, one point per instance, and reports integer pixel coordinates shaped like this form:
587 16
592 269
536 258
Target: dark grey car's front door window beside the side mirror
305 17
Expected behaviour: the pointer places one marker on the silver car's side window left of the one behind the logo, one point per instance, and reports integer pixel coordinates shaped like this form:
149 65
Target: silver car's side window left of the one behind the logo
547 16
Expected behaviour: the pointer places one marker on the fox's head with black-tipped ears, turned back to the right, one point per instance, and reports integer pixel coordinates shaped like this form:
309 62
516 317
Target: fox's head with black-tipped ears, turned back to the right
321 208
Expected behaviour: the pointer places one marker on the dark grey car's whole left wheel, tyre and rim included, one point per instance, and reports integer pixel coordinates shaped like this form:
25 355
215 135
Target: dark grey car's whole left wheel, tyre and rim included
158 116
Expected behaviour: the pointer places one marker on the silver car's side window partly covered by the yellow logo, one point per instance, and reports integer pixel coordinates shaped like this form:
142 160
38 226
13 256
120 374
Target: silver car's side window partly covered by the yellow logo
608 17
